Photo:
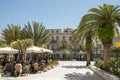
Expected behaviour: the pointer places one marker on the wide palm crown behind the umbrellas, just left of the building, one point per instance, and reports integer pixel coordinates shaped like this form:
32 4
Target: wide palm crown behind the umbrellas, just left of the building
36 32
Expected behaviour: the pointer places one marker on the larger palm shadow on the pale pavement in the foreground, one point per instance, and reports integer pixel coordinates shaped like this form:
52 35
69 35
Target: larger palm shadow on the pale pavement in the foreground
79 76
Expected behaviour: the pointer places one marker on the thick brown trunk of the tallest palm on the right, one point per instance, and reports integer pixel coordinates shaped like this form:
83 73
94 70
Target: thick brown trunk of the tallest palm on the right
106 46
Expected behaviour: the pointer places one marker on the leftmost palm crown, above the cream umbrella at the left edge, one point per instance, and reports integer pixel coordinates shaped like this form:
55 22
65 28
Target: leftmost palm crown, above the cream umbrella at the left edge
11 33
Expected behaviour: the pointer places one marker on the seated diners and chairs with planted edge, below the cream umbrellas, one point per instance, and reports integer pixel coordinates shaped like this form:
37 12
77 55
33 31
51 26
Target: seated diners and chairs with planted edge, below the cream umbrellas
21 68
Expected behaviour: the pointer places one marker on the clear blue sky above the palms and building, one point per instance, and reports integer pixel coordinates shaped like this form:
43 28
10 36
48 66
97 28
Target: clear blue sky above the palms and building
54 14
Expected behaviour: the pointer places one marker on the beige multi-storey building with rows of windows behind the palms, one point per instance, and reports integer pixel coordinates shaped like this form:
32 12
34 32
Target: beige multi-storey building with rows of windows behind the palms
57 36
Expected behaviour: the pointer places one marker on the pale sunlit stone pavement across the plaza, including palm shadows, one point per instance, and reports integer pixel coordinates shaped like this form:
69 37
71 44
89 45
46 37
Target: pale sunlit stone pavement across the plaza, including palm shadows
66 70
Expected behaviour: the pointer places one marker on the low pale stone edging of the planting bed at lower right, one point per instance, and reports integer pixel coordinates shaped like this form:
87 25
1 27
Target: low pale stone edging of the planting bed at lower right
105 75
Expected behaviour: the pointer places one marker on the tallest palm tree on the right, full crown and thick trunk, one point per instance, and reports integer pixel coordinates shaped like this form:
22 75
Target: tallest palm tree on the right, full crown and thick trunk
104 20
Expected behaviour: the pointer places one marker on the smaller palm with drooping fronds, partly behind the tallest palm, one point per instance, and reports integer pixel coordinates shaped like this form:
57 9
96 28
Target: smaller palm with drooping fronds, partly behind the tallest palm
85 36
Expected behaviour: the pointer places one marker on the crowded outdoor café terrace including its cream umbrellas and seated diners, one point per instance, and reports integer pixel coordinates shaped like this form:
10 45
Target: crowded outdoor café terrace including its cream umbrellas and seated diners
12 63
